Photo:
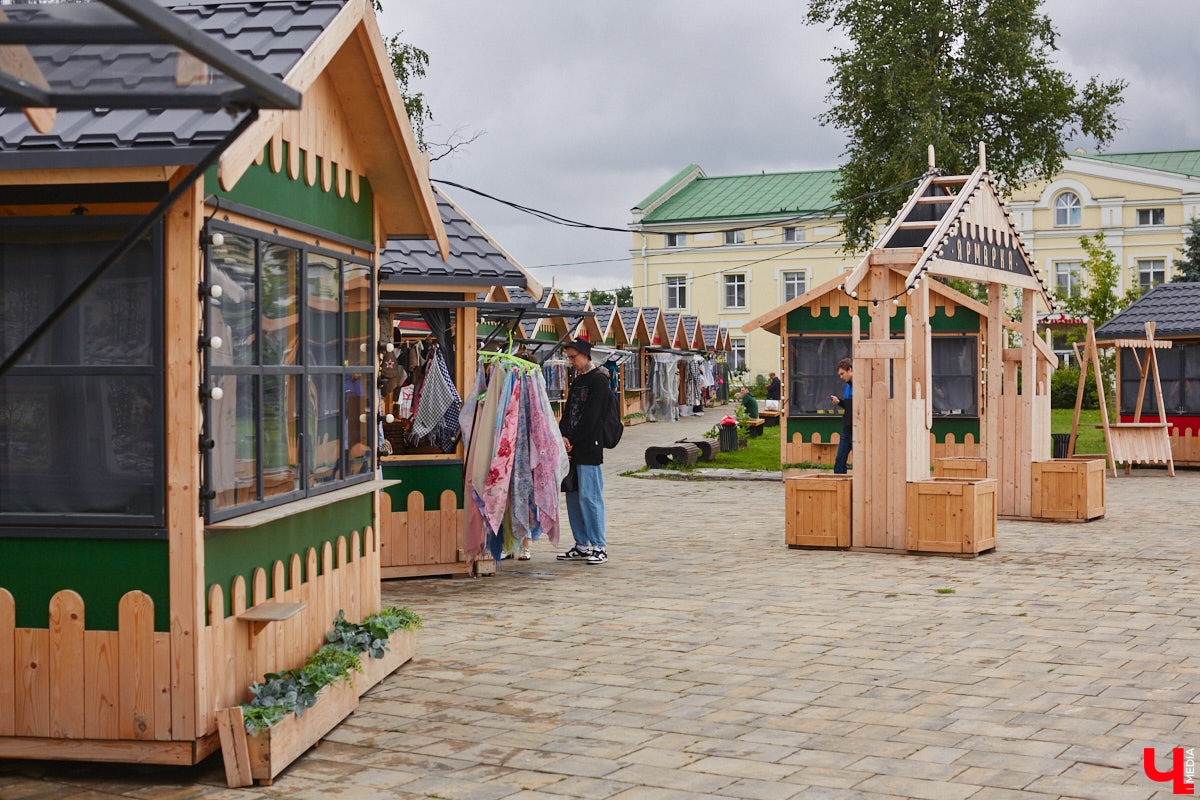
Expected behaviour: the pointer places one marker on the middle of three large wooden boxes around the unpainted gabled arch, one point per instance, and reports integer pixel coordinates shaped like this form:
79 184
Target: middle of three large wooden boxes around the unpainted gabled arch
952 516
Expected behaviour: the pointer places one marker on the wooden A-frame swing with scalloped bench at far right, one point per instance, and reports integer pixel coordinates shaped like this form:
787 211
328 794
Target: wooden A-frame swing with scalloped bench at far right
1142 443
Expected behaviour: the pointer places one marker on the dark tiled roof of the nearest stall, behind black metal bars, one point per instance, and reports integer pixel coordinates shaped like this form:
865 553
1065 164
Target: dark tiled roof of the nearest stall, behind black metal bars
272 34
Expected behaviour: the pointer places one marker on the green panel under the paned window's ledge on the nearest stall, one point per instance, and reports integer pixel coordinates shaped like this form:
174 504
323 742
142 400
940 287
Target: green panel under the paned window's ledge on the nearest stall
241 552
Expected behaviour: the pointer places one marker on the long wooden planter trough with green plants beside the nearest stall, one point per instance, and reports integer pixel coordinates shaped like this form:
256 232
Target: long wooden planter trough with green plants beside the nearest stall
263 756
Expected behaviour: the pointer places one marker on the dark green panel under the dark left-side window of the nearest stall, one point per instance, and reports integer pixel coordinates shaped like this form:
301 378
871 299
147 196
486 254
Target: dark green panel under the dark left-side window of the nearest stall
101 570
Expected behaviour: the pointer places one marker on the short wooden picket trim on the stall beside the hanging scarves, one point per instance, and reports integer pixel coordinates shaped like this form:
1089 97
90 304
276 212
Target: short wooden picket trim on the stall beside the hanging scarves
418 543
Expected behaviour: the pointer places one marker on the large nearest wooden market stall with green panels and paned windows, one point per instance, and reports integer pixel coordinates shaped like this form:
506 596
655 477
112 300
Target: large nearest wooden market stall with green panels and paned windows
188 485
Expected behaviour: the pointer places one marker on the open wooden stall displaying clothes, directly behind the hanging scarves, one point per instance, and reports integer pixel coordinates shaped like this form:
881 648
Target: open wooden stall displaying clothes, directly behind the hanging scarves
431 305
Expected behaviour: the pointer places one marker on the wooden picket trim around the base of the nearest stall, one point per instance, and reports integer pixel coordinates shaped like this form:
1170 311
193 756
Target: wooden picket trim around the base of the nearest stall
68 683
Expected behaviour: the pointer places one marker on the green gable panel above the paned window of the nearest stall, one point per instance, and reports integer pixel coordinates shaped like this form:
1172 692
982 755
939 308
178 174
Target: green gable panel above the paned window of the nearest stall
278 194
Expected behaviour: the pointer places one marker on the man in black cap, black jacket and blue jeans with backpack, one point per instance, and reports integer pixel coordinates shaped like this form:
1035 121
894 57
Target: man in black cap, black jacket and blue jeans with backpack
581 422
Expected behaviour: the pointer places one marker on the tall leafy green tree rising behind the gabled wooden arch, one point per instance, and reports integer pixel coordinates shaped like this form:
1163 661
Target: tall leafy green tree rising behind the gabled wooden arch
951 74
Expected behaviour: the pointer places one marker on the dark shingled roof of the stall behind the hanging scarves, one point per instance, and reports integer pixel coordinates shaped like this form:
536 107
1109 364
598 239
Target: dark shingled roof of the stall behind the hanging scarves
475 261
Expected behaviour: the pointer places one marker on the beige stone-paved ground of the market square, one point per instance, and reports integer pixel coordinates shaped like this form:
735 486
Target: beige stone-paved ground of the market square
707 660
